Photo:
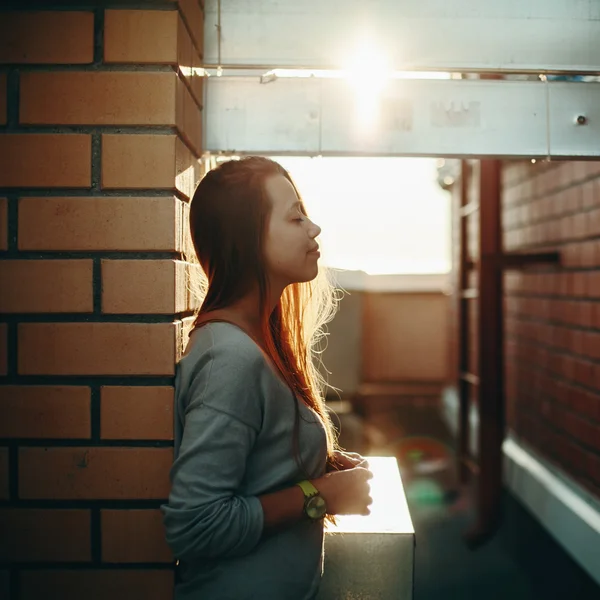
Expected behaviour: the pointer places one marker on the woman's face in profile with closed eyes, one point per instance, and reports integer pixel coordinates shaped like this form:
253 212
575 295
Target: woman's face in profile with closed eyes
291 251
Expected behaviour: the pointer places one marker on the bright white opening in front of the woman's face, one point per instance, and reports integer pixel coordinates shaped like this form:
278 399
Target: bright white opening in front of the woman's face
378 215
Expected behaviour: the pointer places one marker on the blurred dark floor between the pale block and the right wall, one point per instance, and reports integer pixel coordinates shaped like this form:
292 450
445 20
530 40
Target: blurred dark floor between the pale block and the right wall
446 569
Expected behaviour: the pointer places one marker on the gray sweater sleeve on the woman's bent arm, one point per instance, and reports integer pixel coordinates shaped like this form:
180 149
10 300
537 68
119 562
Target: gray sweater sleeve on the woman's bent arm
205 515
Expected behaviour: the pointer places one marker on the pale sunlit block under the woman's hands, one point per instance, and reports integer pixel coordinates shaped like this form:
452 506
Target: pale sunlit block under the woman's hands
373 556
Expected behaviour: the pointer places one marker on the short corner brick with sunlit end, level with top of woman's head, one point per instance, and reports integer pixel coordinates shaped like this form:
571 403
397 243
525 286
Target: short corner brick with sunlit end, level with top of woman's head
148 161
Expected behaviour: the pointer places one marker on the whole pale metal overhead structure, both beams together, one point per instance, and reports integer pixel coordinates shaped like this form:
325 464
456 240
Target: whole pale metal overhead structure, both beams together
412 117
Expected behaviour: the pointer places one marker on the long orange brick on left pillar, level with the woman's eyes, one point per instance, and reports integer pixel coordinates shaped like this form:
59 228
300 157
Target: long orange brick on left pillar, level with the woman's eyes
121 224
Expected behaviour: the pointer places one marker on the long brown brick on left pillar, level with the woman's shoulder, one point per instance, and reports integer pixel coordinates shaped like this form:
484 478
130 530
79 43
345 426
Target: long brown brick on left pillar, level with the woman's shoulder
96 348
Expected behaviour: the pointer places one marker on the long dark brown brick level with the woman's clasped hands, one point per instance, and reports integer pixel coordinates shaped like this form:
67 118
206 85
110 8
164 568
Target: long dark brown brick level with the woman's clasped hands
94 473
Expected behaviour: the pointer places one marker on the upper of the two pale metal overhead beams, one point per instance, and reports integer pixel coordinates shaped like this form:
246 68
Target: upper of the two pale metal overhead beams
538 36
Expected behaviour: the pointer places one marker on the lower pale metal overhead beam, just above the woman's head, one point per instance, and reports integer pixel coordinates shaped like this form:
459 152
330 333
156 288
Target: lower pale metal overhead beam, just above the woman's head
449 118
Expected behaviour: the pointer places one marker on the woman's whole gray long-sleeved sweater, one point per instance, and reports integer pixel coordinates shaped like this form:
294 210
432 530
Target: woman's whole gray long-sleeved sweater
234 420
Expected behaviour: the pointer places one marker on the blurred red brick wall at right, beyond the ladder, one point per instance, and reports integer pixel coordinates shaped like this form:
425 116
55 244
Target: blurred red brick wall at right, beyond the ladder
553 314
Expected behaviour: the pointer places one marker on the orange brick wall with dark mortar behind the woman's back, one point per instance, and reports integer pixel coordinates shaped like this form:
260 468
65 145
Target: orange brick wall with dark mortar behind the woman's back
100 135
